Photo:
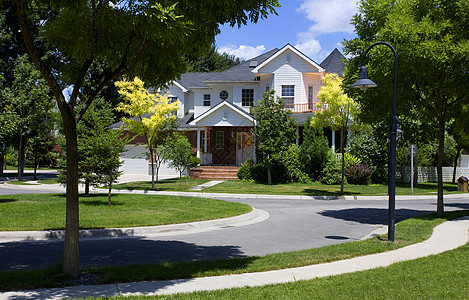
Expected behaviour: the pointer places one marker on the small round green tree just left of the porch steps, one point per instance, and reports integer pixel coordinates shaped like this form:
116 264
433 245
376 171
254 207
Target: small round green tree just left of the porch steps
179 153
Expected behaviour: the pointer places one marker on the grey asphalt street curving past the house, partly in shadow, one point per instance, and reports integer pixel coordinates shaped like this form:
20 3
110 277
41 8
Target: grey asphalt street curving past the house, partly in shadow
293 225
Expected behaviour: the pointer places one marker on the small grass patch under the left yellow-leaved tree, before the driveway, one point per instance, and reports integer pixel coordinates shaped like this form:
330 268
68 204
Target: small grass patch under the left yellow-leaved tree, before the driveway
174 184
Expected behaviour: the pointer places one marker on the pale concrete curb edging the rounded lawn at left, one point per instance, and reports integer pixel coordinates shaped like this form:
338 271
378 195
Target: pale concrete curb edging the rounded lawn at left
254 216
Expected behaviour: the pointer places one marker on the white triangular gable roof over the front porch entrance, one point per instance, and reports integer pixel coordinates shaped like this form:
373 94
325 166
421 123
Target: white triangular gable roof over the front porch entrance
224 114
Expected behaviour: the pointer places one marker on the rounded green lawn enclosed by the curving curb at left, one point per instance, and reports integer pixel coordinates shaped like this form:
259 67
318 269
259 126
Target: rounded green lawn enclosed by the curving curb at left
47 211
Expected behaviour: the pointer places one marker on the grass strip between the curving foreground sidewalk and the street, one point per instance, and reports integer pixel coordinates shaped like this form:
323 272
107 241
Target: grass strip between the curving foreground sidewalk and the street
407 232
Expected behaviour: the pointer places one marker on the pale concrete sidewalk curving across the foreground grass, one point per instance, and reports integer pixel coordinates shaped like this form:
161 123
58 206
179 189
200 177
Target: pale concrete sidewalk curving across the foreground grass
446 236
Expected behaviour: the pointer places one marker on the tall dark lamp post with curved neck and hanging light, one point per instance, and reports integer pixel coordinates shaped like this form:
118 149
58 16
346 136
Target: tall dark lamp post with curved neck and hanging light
363 83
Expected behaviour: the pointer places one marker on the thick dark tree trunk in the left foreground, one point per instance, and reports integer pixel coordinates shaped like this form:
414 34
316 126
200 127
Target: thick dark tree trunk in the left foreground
70 265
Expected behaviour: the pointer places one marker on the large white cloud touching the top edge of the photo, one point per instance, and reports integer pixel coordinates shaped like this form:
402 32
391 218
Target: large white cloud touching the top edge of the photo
328 16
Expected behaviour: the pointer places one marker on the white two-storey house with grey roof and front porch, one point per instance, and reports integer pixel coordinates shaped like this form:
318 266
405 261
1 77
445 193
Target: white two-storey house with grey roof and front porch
215 107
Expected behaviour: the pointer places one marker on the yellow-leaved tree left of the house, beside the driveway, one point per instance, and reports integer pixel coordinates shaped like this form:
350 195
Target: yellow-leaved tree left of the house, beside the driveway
151 114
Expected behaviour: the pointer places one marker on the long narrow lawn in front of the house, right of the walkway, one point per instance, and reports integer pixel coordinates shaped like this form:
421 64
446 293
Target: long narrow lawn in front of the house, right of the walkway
320 189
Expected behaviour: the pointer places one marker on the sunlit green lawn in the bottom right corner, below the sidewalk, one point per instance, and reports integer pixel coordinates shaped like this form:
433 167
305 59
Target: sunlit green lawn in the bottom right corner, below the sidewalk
442 276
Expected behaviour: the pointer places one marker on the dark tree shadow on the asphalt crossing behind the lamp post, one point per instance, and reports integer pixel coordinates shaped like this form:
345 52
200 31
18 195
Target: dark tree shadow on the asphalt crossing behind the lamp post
372 216
